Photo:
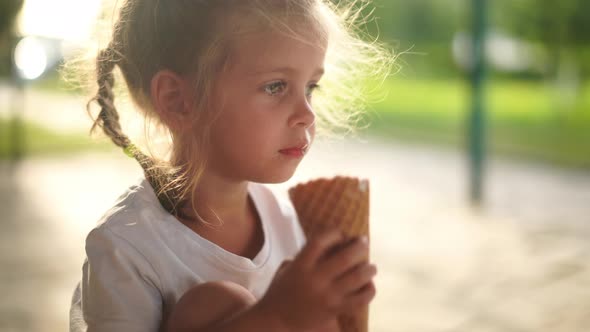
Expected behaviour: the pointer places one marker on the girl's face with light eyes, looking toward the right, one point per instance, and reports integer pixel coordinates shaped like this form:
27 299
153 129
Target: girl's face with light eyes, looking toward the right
266 120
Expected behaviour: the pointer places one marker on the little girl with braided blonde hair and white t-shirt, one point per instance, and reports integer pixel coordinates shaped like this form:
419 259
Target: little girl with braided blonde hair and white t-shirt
199 243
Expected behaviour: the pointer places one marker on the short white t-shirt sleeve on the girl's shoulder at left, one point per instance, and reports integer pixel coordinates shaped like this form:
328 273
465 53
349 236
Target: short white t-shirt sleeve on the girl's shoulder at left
119 286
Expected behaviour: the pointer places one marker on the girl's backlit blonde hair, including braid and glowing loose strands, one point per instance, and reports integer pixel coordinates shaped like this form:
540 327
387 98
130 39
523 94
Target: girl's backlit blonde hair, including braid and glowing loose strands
192 38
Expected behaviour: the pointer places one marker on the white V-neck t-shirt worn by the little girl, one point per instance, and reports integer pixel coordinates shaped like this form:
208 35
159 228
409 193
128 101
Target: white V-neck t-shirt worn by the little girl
141 260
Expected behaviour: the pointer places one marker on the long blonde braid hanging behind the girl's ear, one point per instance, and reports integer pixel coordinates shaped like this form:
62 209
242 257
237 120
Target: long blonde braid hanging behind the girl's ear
108 120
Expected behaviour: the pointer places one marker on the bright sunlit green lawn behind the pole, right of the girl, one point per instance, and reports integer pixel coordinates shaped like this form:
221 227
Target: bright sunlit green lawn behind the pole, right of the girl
524 118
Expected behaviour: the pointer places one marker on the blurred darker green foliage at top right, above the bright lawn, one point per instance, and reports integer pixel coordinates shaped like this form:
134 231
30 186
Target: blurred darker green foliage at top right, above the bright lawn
426 28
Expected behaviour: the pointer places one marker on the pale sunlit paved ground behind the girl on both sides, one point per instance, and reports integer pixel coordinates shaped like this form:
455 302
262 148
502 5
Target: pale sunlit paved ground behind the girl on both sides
518 264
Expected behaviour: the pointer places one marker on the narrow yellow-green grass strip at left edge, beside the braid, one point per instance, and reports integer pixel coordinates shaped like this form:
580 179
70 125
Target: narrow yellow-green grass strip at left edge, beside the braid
41 141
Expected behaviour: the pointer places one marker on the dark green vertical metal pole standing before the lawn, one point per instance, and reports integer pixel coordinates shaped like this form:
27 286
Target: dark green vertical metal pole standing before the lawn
477 117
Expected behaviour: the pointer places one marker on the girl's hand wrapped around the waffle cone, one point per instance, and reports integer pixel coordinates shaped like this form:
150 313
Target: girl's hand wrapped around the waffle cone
328 277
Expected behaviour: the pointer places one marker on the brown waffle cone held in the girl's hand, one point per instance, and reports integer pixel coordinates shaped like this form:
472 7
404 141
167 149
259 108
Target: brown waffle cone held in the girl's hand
339 202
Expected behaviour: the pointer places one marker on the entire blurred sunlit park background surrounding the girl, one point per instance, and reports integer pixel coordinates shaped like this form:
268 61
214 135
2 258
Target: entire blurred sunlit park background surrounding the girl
478 153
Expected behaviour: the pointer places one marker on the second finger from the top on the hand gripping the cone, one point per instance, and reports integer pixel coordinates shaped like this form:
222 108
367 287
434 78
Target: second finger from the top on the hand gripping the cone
344 259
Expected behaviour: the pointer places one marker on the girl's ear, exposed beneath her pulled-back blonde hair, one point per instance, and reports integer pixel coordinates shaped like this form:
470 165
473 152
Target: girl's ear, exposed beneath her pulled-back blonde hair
170 97
